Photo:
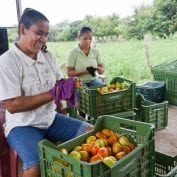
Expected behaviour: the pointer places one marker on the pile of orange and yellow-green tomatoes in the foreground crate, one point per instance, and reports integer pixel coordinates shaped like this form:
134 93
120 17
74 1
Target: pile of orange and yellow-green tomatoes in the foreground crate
105 145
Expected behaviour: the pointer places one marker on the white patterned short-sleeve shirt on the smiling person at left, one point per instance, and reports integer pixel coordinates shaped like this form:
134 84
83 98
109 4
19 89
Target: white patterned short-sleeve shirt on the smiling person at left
22 76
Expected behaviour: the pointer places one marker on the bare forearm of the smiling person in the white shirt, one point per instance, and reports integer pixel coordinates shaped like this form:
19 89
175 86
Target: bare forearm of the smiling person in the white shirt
27 103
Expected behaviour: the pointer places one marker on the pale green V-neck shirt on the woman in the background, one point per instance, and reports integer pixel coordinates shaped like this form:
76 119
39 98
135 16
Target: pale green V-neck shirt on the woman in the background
80 61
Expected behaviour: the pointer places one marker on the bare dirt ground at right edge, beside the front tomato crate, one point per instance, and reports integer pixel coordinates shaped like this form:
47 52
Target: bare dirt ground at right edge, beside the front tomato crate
166 139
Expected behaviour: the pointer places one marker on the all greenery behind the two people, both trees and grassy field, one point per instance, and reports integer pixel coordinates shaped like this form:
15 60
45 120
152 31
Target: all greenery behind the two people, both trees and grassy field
120 41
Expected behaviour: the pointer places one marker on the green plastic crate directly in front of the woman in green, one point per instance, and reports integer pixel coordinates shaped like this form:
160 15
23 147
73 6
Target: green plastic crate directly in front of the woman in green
95 104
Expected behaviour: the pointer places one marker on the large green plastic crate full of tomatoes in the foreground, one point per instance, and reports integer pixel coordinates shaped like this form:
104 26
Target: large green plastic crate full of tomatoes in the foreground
115 147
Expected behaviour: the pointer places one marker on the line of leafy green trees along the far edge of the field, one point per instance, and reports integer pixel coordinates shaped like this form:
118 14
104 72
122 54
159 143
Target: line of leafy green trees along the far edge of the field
158 19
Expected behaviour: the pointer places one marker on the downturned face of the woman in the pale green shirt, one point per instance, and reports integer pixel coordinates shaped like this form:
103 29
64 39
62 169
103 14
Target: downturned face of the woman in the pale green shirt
85 40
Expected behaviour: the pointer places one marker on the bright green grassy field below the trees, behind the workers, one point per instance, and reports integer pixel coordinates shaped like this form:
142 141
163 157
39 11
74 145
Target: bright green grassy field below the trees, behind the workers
126 58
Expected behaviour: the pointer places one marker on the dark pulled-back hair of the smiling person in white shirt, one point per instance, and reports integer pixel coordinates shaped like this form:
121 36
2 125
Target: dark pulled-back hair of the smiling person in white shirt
29 17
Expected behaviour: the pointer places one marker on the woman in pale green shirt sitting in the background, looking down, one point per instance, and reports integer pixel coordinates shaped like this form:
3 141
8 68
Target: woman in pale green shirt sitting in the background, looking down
83 61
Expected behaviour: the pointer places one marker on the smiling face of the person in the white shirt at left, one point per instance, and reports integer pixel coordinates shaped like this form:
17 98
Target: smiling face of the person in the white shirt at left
36 36
